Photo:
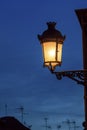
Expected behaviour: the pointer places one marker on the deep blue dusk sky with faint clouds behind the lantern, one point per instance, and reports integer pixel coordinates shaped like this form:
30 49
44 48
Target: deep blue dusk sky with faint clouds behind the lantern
23 80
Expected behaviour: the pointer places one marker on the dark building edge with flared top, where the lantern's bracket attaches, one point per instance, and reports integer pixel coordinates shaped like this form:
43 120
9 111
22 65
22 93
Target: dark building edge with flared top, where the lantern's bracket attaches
82 16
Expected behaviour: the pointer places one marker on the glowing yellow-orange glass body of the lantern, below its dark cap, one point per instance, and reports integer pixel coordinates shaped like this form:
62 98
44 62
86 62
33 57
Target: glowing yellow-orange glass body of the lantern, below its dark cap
52 53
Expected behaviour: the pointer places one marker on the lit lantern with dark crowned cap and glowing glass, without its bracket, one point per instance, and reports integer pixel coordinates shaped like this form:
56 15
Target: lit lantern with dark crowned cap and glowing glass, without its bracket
52 42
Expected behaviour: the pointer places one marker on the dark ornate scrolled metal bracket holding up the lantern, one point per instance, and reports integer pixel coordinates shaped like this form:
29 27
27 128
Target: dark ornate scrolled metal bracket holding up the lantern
80 76
